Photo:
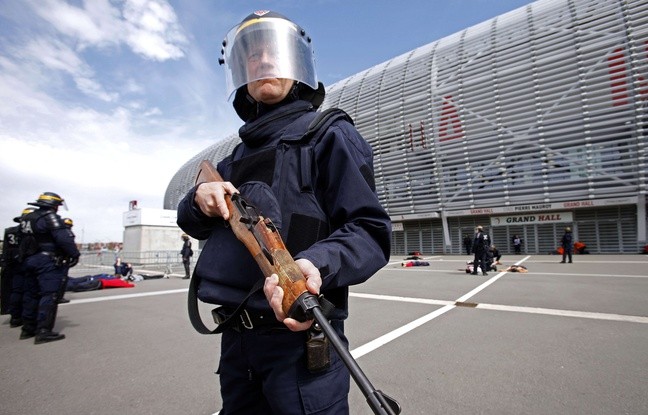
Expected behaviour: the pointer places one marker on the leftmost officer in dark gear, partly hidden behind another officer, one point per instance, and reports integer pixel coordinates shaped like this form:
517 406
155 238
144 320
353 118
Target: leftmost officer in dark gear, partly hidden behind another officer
12 280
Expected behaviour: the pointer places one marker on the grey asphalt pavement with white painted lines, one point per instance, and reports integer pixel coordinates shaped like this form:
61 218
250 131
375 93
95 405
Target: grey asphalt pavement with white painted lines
559 339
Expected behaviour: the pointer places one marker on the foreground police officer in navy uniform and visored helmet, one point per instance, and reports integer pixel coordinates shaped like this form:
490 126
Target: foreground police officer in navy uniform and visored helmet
321 196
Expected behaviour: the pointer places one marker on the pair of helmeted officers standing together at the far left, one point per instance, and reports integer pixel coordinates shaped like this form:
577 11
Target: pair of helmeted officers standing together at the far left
37 255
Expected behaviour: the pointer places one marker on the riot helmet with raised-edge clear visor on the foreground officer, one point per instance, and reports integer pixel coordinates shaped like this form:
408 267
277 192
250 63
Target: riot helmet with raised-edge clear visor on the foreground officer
267 45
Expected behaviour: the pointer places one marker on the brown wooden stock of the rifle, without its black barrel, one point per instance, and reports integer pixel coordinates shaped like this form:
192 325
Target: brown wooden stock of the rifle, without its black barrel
263 241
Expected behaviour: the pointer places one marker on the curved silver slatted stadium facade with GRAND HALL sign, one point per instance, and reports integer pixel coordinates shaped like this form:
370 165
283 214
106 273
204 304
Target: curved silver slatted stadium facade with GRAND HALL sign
526 123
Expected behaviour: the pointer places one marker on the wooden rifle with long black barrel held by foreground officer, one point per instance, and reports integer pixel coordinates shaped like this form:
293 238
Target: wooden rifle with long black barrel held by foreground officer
262 239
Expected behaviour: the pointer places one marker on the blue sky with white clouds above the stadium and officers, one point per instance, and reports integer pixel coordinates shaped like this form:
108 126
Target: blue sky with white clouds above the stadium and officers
102 101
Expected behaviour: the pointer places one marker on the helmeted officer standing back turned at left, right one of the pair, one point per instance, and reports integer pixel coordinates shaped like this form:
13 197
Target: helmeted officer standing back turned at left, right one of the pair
48 249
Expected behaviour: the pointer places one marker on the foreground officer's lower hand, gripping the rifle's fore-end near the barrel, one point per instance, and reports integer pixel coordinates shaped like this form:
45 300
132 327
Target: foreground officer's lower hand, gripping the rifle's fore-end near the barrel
274 293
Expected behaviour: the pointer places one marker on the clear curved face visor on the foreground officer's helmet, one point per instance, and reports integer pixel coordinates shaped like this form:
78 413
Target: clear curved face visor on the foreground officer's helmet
267 47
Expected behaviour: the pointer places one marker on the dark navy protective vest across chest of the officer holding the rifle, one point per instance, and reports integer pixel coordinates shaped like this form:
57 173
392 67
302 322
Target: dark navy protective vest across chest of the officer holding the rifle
289 170
